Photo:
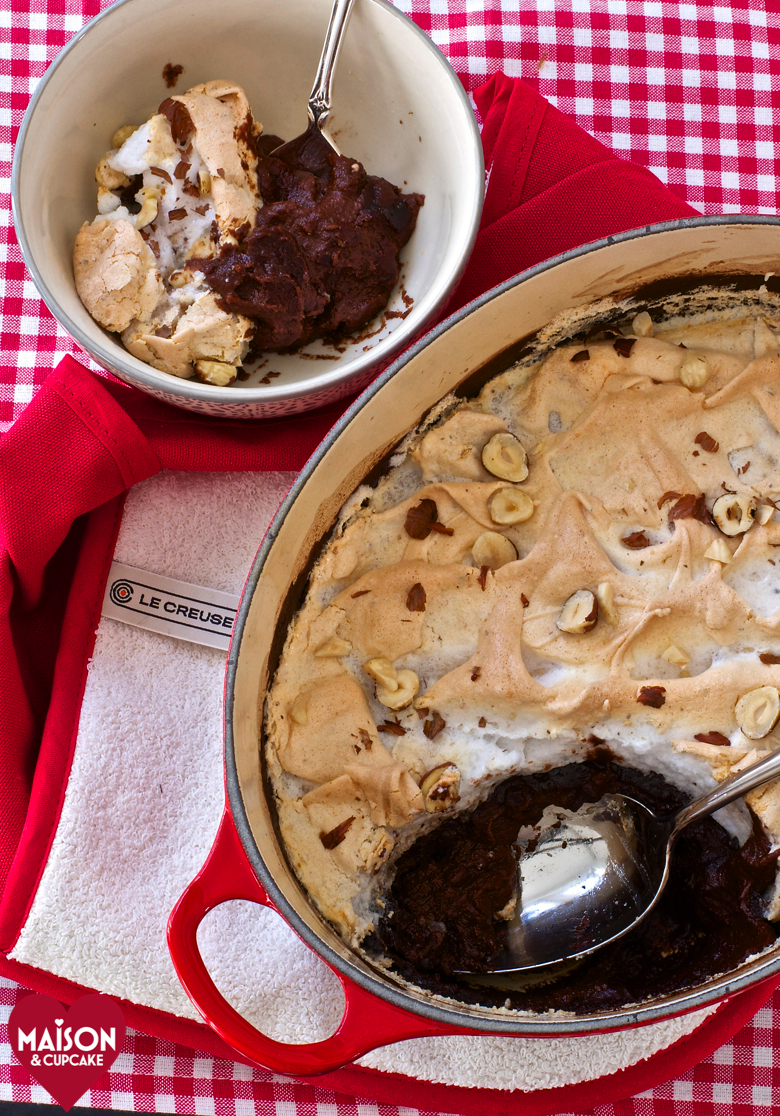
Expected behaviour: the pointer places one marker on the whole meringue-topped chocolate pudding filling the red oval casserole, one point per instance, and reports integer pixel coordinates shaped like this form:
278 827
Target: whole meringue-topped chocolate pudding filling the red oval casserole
564 586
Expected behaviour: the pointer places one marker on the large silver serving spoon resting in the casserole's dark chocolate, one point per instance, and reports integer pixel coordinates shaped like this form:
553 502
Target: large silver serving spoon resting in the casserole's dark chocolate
595 873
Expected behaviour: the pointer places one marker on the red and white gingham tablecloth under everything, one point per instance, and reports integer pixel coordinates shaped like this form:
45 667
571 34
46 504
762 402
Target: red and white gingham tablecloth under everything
687 90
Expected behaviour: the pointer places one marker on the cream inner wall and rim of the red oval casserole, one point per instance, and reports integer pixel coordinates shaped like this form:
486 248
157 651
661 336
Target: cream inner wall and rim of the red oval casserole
479 342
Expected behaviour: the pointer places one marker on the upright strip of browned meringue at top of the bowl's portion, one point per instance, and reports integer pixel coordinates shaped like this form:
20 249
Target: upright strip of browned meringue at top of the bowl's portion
224 123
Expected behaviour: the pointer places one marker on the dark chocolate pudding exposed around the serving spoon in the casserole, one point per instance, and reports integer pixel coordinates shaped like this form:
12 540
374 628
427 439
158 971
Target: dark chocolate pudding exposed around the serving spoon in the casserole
451 882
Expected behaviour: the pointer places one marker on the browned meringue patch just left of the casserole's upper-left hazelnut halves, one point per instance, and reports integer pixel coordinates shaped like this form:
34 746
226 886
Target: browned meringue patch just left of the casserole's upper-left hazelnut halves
455 448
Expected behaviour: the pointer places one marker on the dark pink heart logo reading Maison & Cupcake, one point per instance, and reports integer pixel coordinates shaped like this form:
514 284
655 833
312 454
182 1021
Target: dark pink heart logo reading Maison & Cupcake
68 1052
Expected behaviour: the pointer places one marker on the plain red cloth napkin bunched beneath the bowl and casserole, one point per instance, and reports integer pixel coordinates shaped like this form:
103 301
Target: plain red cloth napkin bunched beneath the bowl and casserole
84 441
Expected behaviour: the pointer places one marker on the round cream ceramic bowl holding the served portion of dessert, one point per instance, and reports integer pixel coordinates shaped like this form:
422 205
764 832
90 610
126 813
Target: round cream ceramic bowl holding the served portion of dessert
399 108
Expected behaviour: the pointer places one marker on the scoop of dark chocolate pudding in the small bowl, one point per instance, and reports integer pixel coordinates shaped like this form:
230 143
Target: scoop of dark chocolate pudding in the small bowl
323 257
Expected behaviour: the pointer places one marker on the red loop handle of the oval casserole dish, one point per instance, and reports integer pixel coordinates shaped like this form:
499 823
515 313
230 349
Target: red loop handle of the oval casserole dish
369 1022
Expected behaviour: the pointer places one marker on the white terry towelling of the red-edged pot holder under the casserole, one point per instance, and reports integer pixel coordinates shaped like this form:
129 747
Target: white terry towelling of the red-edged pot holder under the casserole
145 801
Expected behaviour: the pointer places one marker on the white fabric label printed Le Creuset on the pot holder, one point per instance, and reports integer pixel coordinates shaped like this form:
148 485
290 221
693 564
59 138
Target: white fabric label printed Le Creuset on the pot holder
170 608
